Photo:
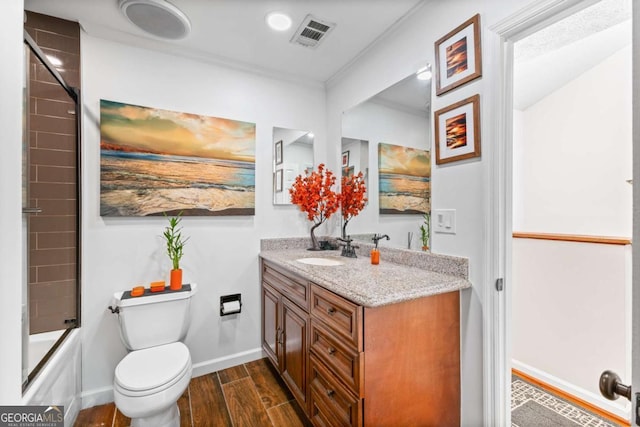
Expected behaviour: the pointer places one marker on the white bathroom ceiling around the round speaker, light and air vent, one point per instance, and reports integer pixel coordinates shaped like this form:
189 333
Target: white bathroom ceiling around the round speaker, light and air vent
234 32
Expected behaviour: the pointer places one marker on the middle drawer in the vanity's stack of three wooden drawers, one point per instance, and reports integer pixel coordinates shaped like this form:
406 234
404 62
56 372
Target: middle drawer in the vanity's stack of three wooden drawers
343 360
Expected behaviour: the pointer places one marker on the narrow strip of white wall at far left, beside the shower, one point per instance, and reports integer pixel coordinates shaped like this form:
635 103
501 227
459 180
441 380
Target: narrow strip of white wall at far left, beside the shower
11 78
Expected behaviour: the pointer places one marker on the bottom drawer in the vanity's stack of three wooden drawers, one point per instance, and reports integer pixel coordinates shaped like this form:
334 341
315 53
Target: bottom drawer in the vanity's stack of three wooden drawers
330 402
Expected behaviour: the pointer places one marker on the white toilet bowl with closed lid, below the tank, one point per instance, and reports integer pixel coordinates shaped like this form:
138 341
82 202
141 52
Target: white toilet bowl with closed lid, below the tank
149 382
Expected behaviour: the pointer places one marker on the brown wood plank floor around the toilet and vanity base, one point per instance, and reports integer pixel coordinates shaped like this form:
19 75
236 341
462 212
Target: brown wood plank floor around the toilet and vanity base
250 395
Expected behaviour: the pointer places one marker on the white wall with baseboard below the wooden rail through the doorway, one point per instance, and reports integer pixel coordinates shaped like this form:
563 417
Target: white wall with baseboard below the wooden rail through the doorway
569 315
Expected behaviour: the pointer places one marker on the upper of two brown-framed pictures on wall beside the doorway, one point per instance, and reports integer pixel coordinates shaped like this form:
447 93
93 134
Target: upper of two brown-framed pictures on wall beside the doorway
458 56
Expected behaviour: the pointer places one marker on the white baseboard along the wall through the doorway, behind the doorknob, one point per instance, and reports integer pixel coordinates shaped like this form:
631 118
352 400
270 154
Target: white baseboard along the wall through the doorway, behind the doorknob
620 407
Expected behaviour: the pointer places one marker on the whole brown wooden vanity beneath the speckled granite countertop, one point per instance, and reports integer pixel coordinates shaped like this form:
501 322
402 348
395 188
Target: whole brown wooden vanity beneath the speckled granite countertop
349 364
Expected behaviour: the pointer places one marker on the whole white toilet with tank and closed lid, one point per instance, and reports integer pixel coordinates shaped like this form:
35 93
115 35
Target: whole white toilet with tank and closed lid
150 379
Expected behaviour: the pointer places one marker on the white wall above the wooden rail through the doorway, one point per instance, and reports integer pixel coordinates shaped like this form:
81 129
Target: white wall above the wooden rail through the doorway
576 155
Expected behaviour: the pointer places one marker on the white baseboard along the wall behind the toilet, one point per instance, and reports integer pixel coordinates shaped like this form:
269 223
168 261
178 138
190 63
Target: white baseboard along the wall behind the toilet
104 395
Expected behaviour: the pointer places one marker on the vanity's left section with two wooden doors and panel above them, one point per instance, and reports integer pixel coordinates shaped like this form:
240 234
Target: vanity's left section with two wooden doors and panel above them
285 327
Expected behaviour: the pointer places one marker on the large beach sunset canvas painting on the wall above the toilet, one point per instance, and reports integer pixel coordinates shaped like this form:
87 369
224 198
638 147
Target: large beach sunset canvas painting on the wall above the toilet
155 162
